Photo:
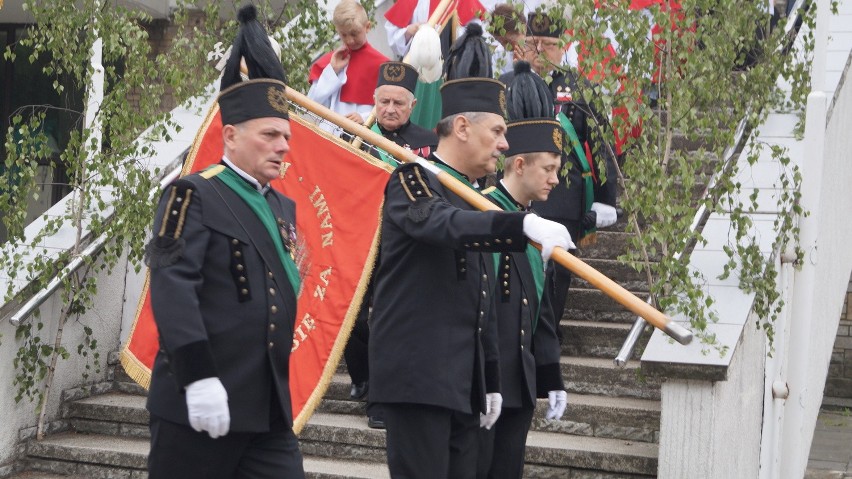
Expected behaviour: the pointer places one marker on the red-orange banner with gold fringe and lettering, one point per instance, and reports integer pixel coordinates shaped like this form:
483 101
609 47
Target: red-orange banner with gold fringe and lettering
338 192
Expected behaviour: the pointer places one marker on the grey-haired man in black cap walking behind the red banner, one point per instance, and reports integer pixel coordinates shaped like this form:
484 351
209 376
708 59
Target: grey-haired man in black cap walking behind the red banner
394 104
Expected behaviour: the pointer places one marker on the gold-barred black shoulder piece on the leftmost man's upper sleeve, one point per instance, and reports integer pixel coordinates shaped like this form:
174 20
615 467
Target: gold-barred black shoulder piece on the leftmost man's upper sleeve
167 245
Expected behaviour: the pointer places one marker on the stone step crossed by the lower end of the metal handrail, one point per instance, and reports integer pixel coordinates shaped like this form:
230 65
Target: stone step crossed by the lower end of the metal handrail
597 339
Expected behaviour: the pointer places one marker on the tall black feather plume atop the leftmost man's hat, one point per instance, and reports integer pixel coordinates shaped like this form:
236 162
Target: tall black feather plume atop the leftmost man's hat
251 44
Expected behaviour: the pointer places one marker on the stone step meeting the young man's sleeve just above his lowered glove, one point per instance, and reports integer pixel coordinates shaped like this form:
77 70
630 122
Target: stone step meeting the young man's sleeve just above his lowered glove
600 376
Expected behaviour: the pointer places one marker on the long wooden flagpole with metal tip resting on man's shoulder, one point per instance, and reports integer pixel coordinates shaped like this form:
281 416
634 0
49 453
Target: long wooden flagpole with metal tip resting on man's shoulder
569 261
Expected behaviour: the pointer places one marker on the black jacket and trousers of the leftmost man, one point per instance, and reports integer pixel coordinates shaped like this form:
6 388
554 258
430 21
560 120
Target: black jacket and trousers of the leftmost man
223 308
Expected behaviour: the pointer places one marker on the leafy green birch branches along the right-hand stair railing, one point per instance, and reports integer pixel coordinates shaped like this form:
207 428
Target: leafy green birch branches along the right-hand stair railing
712 63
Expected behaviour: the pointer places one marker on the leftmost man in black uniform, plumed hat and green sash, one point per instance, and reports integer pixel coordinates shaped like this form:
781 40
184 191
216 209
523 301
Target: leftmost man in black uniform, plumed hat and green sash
223 291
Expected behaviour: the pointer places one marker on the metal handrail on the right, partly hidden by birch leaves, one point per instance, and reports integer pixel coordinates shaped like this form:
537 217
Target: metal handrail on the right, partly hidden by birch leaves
703 213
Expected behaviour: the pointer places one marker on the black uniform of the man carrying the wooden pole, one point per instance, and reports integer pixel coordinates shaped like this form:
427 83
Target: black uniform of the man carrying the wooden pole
433 337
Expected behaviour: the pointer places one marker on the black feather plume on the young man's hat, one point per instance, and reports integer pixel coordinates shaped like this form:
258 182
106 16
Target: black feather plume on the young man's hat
527 95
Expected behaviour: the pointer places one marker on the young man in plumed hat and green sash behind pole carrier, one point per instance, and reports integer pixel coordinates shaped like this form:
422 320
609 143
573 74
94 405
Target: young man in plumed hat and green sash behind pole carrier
529 348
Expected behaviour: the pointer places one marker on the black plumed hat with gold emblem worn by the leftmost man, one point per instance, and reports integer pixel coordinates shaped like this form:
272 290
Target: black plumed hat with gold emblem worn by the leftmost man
264 94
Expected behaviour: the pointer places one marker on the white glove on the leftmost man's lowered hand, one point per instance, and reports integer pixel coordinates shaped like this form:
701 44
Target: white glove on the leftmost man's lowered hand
207 403
